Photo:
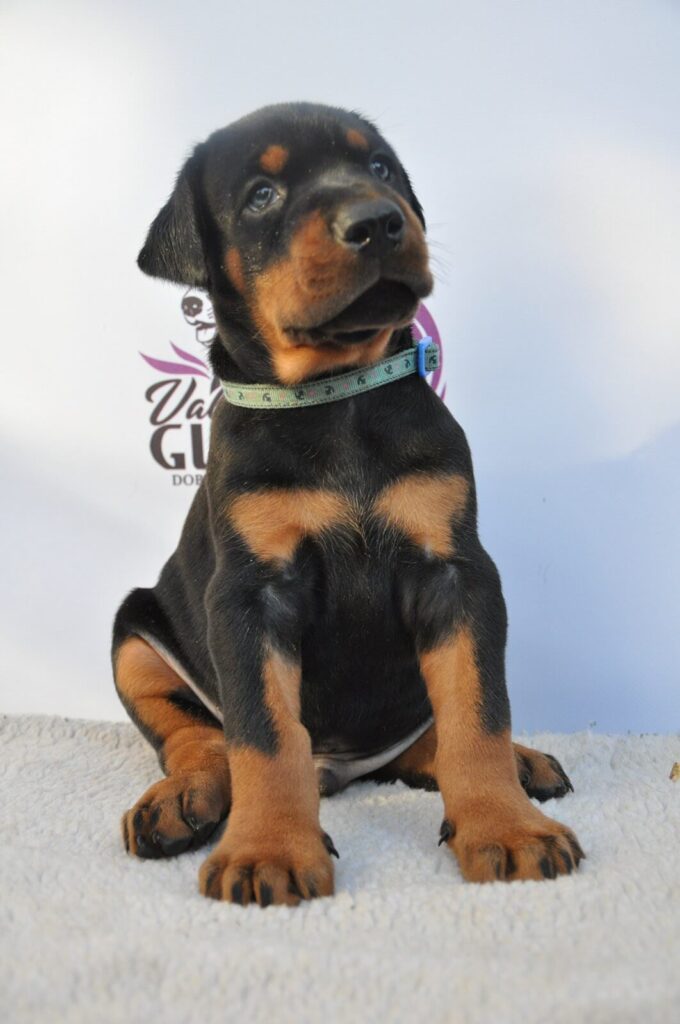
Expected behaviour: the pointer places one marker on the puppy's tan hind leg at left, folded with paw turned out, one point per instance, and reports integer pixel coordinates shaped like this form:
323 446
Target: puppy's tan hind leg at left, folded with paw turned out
182 812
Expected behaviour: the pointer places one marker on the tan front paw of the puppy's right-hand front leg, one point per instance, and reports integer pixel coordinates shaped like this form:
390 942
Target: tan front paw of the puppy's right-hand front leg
495 841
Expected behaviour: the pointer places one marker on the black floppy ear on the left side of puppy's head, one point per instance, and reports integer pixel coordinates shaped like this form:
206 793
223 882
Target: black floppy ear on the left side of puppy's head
174 249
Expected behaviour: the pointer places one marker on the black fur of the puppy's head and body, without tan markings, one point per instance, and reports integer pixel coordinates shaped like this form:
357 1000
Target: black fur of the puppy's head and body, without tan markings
356 608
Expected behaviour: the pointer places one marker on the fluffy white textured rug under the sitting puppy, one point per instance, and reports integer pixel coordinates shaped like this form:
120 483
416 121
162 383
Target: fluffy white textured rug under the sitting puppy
90 934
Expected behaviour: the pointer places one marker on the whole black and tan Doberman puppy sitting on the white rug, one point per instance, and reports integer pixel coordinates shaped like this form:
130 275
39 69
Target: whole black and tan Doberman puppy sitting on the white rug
329 613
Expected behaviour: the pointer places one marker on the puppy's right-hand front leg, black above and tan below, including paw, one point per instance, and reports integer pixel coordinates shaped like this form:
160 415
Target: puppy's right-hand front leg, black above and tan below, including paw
490 824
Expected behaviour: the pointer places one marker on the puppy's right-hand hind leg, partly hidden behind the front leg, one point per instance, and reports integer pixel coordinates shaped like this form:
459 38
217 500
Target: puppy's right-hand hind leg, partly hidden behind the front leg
542 776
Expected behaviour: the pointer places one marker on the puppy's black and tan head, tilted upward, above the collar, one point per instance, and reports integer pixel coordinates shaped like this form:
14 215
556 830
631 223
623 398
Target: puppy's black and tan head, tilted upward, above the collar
303 226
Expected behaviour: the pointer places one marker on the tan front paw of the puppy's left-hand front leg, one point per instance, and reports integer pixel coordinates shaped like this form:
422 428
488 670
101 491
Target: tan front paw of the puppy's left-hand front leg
270 870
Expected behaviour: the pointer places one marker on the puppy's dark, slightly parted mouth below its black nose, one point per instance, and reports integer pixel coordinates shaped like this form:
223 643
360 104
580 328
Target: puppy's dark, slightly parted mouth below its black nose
386 305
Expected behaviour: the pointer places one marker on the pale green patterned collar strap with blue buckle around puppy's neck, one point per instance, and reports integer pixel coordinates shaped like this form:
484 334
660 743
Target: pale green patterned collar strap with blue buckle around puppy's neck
421 360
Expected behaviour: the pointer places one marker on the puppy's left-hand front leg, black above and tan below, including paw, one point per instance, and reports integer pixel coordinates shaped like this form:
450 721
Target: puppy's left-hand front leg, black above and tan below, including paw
274 850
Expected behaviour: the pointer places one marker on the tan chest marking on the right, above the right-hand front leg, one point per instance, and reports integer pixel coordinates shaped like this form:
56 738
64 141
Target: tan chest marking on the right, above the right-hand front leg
426 508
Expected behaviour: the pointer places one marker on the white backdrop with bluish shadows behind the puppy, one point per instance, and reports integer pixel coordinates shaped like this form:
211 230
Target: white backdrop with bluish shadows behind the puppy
543 142
